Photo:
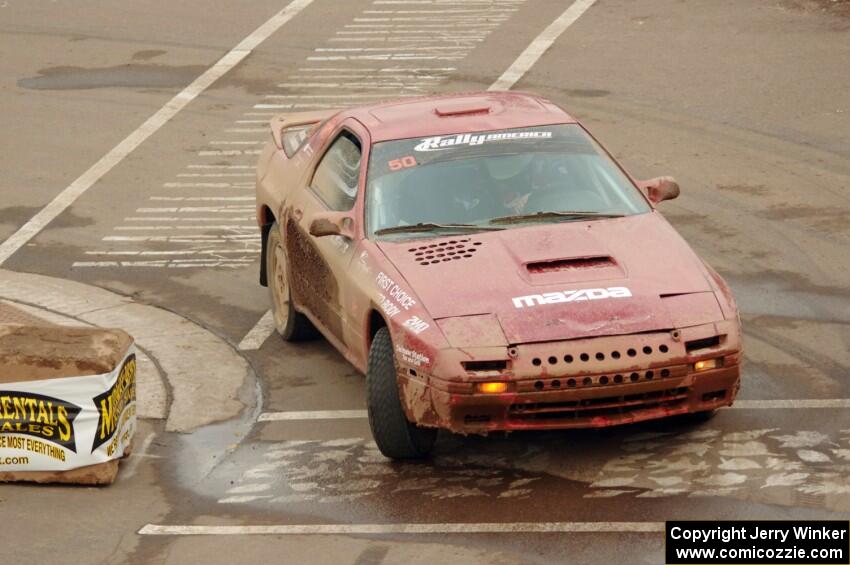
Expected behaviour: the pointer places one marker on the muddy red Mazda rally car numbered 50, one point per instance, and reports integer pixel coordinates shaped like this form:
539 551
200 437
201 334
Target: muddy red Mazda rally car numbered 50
488 266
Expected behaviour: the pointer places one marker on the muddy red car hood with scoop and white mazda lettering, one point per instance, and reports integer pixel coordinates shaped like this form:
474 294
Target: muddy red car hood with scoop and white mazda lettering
528 277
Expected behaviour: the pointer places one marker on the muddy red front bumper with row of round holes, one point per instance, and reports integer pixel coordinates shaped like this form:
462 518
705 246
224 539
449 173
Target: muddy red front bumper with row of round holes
589 383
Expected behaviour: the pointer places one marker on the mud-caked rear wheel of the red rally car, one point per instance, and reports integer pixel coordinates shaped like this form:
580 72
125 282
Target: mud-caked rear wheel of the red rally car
290 324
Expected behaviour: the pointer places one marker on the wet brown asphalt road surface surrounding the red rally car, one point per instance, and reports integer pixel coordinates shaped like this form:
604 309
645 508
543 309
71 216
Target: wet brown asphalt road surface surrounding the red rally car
747 105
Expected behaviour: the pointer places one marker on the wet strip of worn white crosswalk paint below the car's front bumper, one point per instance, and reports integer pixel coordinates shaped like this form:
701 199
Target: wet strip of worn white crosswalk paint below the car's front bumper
770 465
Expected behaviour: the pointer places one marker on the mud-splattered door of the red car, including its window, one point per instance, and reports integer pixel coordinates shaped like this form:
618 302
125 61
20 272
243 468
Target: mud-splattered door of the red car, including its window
318 265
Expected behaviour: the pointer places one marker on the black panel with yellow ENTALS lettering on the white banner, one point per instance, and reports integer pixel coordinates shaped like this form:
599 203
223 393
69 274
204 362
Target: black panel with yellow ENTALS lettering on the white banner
38 416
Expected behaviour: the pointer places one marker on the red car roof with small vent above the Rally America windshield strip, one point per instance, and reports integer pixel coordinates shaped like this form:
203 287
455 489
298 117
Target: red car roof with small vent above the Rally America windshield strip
456 113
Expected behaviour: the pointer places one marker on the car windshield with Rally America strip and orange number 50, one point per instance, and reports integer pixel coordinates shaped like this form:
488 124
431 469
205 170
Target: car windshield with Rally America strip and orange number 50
494 178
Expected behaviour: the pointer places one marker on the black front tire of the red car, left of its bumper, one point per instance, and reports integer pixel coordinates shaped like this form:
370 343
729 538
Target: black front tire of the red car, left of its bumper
396 437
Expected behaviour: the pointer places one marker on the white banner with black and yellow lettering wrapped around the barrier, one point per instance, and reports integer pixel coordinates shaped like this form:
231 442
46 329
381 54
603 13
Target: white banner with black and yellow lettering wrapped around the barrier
66 423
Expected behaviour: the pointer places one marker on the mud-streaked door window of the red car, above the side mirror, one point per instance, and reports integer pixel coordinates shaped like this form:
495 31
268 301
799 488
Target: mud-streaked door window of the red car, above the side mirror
336 176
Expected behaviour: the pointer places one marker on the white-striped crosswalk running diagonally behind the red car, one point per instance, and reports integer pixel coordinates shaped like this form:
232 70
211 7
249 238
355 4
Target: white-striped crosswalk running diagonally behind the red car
392 49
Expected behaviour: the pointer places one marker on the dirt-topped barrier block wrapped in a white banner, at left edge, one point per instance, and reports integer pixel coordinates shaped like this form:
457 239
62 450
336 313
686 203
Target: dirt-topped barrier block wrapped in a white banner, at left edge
67 403
